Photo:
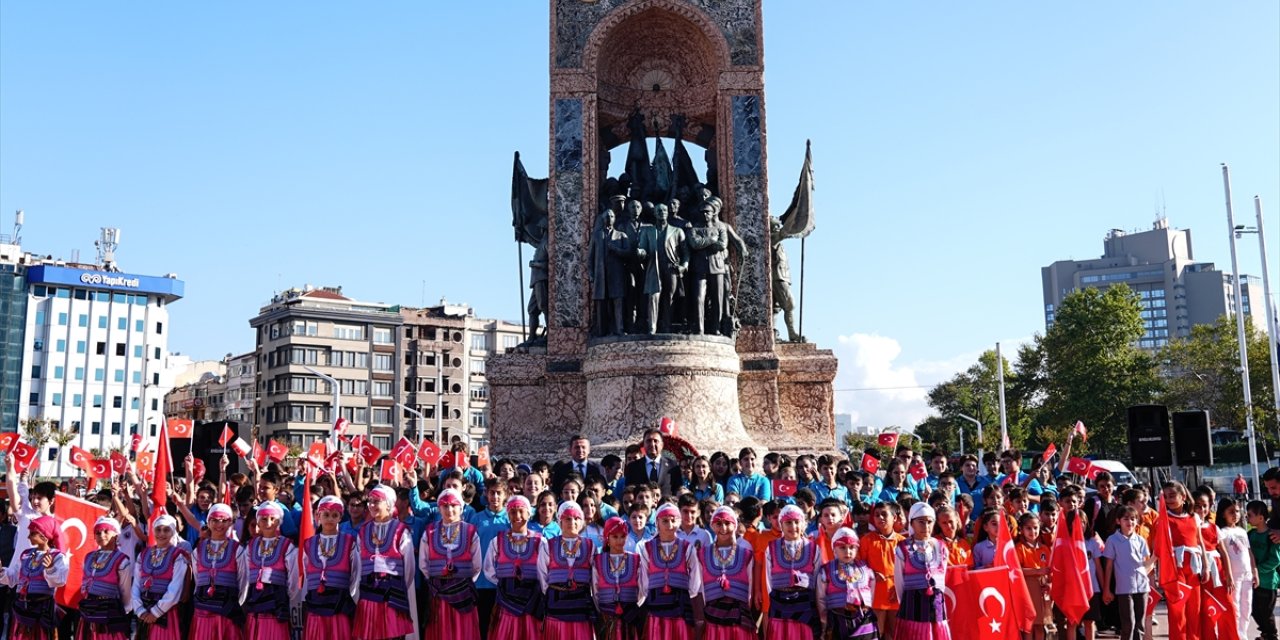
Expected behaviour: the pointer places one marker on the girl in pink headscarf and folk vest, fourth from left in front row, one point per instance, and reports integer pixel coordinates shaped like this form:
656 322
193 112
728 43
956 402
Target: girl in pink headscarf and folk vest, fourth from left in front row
217 566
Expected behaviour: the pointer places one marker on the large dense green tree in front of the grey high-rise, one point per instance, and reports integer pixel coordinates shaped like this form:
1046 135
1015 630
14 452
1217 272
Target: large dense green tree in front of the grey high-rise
1091 368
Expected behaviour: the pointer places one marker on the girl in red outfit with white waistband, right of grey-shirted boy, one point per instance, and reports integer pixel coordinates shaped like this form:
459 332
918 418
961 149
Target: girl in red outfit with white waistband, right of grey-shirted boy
1188 559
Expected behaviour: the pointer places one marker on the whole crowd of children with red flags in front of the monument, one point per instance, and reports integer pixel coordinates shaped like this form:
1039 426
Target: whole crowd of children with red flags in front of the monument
747 548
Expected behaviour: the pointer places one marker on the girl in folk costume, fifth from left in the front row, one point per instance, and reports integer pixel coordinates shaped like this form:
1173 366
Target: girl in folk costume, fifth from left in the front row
269 583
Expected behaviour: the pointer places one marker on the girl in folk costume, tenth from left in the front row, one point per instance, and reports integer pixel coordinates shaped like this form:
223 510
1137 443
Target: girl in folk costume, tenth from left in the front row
565 575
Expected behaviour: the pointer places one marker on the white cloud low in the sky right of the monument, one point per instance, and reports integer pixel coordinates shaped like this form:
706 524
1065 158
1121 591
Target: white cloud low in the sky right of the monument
880 391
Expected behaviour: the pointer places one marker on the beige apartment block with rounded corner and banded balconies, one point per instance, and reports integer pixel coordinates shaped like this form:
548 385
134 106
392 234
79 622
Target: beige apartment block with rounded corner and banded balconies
310 333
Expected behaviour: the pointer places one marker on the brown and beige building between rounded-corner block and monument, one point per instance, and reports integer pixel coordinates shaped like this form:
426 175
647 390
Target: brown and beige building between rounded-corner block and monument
445 350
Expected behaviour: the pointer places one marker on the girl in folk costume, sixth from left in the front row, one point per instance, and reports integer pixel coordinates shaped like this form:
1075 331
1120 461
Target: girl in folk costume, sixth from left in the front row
331 563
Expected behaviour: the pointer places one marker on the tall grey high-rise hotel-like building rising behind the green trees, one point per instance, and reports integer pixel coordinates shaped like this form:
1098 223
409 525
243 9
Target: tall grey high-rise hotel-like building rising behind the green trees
1176 291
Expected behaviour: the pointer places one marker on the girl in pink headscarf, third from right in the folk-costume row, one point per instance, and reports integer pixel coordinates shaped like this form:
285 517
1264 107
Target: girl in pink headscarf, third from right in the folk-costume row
790 564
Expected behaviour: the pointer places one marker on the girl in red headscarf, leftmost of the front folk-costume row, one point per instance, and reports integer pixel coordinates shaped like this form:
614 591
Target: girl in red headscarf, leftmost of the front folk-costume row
35 575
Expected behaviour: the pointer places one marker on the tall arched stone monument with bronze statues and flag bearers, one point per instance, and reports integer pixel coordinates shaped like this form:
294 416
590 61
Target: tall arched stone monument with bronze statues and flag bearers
610 259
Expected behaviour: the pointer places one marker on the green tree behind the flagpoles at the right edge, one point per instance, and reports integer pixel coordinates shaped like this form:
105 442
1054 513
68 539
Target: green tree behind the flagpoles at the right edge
1203 373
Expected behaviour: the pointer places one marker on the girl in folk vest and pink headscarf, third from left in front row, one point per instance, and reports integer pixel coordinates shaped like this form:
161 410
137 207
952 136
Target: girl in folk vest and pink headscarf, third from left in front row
159 577
